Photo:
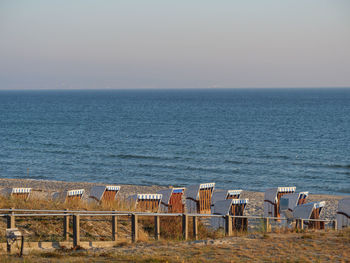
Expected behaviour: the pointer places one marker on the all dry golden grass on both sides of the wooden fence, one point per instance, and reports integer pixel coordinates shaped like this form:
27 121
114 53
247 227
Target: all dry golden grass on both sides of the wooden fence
281 245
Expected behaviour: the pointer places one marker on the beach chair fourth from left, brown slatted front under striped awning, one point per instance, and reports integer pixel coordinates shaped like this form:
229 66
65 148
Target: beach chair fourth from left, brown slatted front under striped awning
147 202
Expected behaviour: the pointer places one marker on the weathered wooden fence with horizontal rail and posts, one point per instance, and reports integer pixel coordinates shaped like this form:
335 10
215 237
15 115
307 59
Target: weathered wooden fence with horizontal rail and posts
75 215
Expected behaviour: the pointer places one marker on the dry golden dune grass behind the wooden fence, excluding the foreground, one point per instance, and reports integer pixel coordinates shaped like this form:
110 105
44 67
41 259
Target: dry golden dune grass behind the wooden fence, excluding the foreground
93 228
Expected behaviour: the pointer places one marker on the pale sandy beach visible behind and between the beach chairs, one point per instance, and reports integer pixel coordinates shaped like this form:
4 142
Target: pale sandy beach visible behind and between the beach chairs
44 189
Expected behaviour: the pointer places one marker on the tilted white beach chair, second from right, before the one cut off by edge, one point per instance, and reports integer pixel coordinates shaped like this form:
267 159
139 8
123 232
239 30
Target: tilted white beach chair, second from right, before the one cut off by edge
310 211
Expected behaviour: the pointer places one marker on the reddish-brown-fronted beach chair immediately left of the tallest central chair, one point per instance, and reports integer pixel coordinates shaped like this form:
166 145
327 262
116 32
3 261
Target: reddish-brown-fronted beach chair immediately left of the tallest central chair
173 200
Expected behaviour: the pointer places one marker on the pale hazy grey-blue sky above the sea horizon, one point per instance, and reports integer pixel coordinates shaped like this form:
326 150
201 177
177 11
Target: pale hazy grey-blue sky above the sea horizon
101 44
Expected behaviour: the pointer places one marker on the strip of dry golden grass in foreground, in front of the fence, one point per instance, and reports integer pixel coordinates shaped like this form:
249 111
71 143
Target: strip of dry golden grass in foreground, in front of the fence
313 246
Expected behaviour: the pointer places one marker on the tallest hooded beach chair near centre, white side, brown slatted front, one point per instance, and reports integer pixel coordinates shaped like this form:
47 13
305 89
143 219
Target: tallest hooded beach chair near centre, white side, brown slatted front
198 198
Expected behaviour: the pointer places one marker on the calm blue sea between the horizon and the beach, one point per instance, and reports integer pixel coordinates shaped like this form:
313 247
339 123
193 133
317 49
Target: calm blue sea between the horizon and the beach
239 138
